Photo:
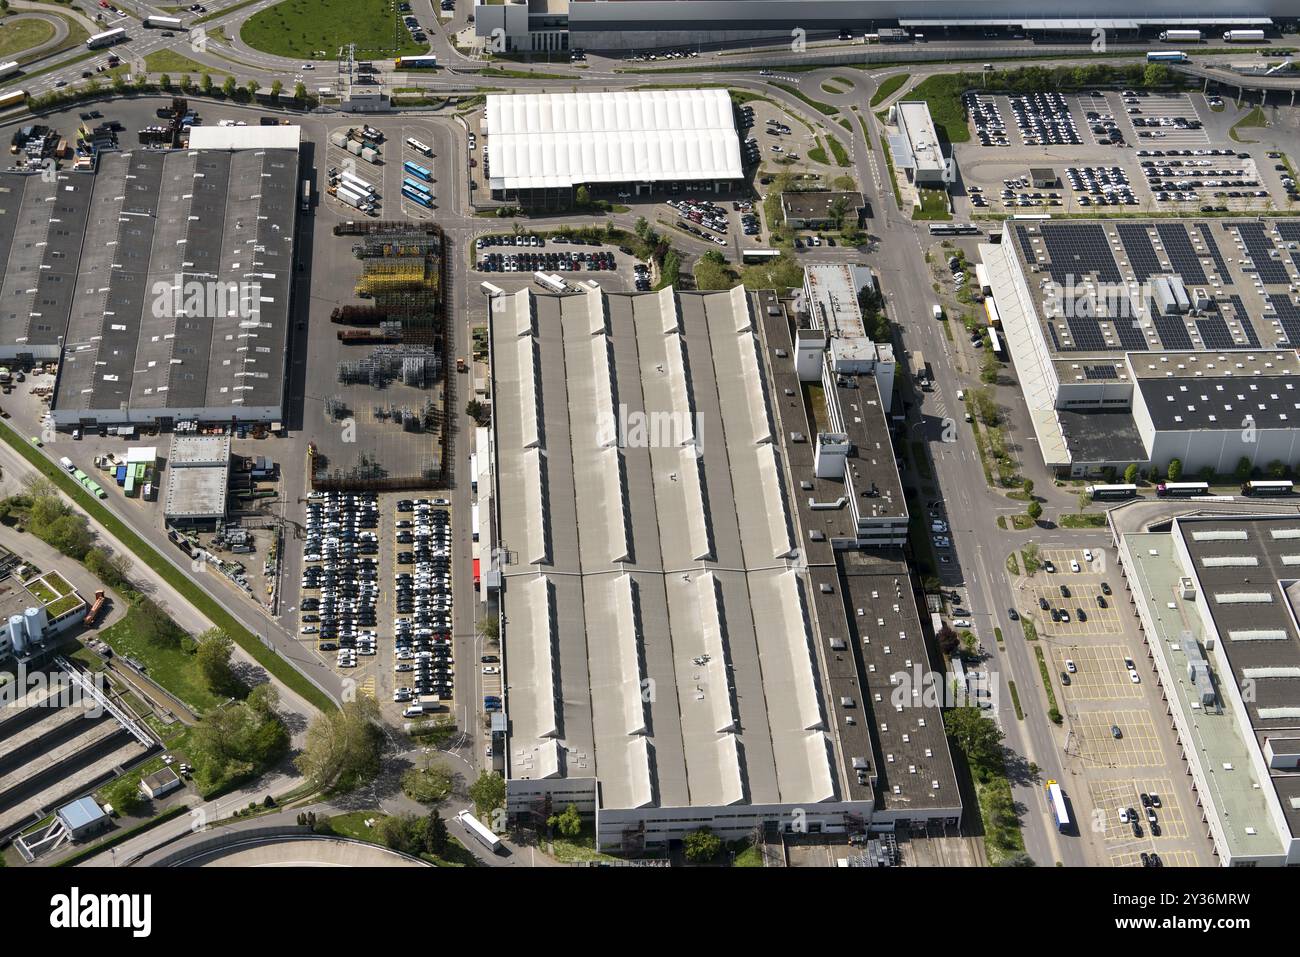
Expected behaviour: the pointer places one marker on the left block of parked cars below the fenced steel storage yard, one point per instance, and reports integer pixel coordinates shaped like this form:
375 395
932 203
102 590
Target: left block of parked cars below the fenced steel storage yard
340 579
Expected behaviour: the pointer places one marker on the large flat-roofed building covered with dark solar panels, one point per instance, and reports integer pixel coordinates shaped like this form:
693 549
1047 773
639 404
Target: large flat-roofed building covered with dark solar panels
1145 343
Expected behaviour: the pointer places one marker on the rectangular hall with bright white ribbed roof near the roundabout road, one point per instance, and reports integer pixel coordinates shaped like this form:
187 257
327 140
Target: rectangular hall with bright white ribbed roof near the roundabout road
547 145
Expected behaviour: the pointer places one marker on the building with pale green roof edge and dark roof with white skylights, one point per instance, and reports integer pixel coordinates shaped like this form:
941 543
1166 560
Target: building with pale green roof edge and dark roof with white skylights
1217 601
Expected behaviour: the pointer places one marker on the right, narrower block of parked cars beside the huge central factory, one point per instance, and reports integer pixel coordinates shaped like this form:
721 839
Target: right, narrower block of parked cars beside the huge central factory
422 630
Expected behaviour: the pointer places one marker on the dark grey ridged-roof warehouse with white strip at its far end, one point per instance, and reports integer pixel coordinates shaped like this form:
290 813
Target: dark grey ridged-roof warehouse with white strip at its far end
181 306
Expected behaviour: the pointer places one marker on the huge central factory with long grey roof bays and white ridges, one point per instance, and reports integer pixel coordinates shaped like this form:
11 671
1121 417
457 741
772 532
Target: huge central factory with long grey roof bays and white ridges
674 660
